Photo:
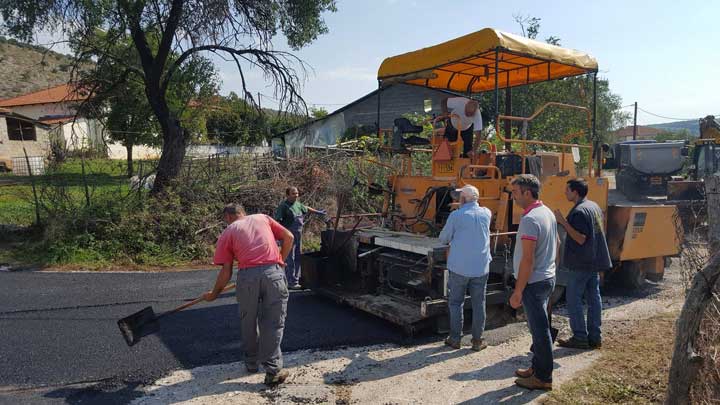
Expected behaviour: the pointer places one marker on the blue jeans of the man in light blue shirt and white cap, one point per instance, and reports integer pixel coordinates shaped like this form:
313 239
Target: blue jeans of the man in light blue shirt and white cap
457 286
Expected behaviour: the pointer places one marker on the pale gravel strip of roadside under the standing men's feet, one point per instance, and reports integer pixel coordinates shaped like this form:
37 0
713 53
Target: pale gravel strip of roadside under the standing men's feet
389 374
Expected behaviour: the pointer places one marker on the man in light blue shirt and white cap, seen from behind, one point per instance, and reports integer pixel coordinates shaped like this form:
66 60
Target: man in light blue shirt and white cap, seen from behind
467 231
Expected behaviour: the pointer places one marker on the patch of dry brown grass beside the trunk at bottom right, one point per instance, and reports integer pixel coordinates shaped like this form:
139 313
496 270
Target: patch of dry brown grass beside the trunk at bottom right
633 367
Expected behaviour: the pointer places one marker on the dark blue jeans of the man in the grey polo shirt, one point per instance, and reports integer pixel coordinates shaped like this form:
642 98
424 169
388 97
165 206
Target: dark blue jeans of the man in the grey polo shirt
535 299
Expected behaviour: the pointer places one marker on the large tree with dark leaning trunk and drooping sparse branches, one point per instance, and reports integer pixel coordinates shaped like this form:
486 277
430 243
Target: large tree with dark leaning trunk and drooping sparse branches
241 30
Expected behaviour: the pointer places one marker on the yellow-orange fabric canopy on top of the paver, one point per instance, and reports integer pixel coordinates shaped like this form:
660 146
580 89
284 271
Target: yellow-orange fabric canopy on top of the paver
467 64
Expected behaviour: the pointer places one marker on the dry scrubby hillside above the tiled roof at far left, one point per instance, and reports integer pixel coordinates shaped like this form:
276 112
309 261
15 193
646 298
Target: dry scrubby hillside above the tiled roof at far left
26 68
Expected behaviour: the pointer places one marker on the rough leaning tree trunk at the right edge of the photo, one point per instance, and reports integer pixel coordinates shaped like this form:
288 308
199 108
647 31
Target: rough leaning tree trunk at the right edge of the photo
686 362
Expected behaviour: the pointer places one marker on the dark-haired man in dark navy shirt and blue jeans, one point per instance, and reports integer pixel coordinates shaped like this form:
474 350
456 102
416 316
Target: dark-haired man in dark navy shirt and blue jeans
586 255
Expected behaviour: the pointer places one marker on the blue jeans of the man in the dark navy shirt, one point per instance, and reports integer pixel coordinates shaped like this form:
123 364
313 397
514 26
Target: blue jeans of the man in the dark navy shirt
584 283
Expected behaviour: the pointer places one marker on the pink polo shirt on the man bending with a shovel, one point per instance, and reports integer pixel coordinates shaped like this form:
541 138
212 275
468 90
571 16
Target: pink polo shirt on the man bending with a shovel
251 240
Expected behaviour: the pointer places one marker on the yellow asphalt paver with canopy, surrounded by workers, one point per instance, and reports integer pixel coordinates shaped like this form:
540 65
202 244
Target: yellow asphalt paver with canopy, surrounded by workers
397 270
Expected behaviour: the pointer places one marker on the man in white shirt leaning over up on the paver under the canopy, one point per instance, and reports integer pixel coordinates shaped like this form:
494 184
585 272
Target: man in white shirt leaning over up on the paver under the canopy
466 118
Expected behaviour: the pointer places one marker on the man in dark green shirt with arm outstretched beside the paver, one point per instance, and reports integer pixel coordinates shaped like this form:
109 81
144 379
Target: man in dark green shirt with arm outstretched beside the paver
291 214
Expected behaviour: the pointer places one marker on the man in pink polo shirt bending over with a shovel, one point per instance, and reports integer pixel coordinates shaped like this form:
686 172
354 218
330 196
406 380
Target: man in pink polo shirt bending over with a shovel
261 286
